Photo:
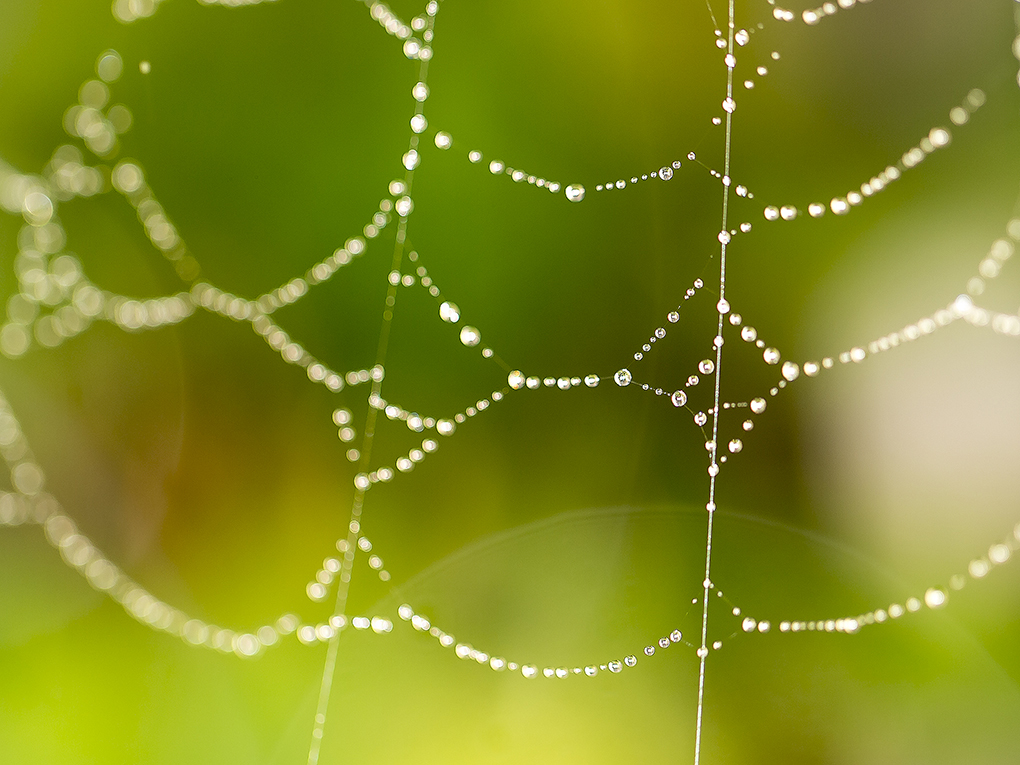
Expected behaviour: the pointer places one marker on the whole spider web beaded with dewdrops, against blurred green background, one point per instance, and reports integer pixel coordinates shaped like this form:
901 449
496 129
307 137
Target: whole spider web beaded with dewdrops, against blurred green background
57 301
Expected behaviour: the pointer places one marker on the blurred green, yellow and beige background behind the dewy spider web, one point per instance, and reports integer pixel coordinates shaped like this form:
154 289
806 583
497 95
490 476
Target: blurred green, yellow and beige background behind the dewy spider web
558 528
